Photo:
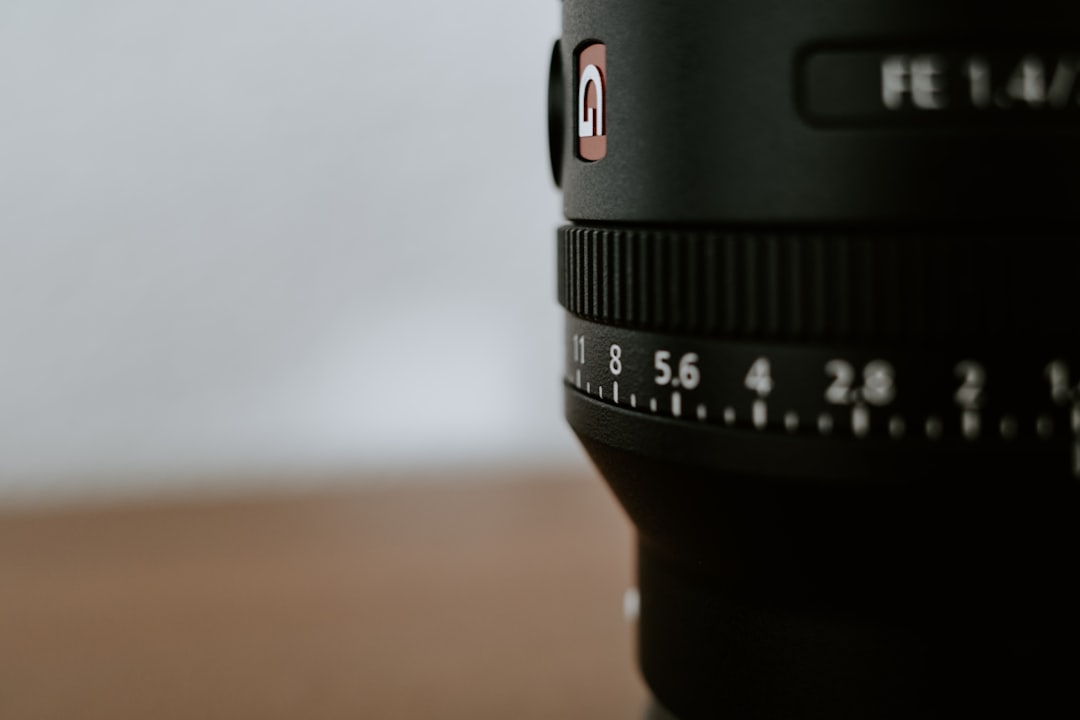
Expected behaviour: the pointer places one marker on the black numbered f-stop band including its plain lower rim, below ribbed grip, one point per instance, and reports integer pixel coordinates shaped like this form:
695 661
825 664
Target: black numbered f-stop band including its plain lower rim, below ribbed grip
808 411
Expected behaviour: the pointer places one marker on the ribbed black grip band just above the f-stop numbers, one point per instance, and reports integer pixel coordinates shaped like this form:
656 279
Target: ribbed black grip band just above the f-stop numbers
829 287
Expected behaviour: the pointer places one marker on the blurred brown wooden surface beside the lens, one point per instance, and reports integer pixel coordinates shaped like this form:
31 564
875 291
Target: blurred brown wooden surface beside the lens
441 601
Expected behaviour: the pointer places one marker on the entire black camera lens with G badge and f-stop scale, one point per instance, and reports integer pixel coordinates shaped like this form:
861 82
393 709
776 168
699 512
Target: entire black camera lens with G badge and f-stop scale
823 343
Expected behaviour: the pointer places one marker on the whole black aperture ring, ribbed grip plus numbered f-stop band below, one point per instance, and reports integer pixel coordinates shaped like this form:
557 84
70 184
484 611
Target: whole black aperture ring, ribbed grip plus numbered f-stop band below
800 355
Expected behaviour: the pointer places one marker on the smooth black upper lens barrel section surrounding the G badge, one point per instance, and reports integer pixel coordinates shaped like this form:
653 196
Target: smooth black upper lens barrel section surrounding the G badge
705 124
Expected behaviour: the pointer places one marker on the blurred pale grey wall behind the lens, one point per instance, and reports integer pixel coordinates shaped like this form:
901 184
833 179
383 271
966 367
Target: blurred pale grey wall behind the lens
274 238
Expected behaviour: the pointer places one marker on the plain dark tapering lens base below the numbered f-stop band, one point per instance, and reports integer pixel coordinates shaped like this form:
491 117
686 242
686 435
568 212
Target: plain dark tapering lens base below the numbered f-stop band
949 597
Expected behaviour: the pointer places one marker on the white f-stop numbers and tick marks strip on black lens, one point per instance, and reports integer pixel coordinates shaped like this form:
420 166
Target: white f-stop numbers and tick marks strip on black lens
859 395
